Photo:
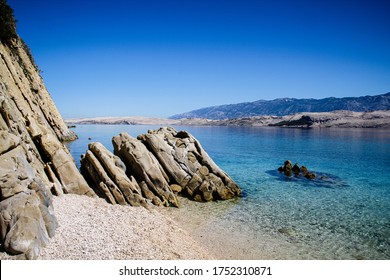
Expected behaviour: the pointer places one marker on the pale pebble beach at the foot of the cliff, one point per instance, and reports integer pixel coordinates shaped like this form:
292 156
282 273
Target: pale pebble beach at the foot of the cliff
91 229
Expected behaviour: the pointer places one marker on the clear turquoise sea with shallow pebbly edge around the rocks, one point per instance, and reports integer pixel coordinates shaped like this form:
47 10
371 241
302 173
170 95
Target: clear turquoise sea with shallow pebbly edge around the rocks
342 214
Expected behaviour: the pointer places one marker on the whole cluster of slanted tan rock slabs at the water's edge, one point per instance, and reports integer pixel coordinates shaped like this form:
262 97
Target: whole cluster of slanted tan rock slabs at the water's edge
158 165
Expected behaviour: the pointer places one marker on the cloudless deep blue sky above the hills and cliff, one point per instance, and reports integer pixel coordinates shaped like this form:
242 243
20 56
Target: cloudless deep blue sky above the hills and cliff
159 58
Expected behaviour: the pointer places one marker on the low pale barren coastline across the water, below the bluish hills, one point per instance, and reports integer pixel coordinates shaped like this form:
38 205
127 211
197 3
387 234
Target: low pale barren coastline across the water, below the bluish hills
342 119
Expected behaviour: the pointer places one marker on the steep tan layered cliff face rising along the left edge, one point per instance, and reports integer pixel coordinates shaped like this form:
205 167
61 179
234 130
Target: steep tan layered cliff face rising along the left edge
34 164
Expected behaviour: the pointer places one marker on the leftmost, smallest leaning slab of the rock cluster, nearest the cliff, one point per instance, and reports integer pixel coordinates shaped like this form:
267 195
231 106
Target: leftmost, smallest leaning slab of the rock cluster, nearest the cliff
108 174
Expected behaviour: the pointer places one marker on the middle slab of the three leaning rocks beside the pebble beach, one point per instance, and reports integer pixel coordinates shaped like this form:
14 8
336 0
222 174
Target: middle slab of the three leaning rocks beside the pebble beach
141 163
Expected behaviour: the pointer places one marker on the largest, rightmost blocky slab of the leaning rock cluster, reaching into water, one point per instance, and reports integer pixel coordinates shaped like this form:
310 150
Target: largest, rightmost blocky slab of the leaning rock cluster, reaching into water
189 166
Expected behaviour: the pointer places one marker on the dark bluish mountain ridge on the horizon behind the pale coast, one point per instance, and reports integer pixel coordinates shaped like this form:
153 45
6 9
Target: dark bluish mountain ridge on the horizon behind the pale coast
287 106
